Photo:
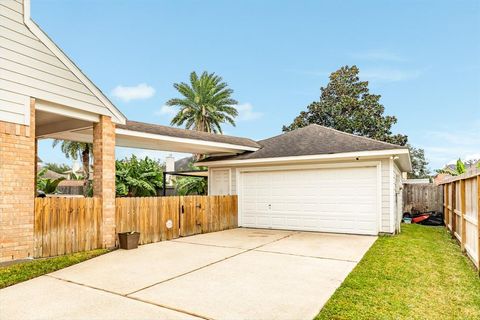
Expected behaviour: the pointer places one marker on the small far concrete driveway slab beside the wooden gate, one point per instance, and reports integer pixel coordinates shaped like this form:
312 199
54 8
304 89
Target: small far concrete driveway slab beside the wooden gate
241 238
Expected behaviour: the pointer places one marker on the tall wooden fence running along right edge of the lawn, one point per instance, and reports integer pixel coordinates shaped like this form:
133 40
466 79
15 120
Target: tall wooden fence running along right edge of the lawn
462 211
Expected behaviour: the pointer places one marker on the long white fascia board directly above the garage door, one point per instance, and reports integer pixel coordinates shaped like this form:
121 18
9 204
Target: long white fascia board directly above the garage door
333 156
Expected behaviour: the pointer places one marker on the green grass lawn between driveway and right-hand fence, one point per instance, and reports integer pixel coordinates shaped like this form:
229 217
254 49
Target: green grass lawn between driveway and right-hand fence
419 274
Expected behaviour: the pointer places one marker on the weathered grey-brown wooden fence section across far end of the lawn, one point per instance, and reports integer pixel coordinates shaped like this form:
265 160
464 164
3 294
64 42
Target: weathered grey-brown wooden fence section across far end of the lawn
422 197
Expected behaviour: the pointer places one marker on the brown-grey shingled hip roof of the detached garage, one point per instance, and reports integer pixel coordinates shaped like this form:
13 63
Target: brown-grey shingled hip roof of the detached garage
311 140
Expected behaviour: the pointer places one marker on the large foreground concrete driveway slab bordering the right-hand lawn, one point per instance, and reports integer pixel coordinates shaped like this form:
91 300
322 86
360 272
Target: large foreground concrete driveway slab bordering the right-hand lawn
254 285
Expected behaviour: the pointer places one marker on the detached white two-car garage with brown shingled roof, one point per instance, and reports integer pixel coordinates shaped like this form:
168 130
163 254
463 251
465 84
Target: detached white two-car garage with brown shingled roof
315 179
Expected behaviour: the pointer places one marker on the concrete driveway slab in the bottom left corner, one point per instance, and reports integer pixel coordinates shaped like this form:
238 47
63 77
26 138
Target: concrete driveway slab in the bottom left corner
48 298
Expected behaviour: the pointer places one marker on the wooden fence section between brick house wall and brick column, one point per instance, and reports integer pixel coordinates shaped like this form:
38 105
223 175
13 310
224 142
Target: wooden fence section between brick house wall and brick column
65 225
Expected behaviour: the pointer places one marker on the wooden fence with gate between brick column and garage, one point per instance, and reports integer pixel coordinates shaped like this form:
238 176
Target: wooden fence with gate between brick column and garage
188 215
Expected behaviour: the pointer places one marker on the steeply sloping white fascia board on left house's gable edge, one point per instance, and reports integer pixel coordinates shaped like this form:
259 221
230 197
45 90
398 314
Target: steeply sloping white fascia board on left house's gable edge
45 39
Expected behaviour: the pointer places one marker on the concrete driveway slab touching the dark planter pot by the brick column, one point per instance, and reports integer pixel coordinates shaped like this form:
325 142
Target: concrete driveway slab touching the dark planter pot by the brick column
125 271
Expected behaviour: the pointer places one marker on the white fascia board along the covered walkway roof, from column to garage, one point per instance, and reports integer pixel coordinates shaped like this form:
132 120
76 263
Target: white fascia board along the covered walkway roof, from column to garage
199 142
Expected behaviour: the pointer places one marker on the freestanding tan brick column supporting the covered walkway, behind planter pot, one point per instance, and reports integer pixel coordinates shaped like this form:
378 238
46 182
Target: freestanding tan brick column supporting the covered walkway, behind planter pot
104 175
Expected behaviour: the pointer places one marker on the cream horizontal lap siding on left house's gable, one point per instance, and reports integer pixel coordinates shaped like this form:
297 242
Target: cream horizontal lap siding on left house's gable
29 68
